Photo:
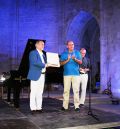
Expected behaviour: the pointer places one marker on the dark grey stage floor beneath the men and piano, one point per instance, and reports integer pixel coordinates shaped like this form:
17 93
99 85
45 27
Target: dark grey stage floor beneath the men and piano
54 118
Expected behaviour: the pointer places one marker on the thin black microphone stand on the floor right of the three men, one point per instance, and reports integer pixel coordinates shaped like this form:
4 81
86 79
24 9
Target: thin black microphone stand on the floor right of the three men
90 109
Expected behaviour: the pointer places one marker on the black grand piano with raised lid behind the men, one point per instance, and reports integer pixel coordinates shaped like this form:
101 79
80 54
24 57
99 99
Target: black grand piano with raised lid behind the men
18 78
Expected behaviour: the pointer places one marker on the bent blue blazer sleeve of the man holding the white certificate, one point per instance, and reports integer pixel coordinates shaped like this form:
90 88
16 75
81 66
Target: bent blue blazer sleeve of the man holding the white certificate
35 61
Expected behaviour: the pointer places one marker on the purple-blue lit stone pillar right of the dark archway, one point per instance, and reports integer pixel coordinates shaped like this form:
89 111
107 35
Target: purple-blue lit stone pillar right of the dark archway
110 45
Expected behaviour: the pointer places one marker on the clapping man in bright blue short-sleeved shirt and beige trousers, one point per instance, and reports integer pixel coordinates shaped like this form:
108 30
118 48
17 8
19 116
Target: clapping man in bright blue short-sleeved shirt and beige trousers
71 59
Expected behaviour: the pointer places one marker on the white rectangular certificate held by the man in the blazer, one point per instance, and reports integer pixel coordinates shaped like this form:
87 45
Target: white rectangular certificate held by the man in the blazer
53 59
